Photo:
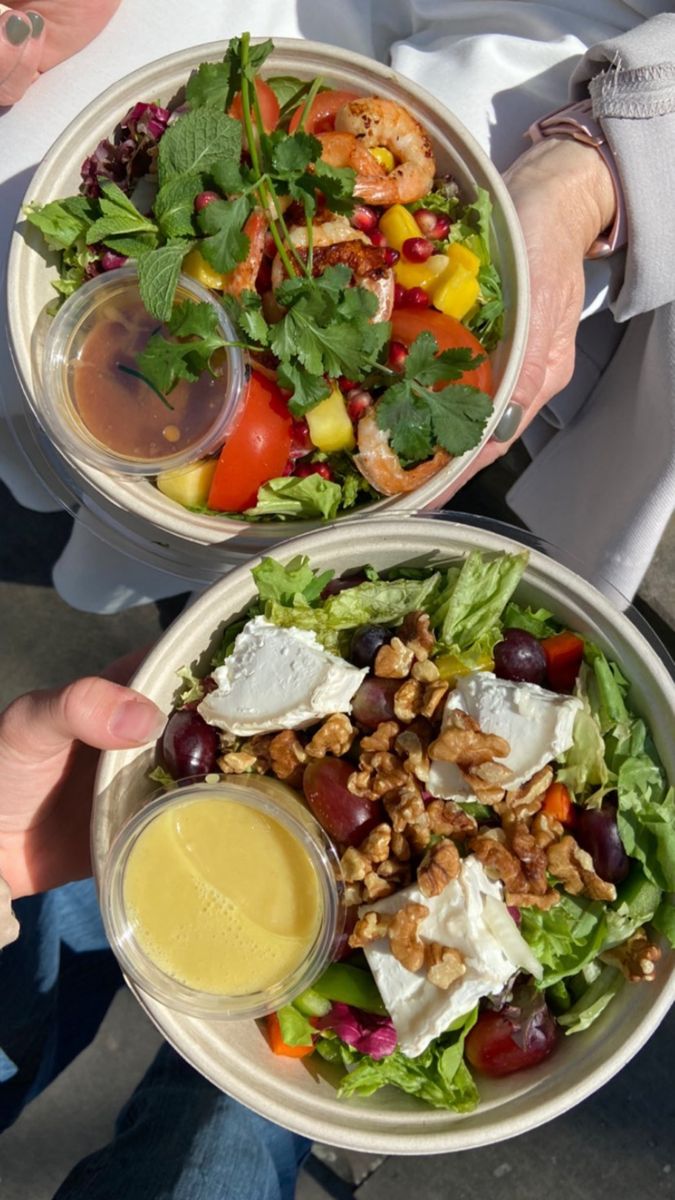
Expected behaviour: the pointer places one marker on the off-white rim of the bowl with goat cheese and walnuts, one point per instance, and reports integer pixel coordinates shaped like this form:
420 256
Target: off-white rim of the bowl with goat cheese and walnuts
549 1101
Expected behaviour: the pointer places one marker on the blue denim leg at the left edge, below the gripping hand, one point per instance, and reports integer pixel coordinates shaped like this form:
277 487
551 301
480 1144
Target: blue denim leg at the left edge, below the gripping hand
57 983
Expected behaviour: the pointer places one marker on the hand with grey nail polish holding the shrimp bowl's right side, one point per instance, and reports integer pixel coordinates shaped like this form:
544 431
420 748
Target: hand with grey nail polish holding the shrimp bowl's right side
564 196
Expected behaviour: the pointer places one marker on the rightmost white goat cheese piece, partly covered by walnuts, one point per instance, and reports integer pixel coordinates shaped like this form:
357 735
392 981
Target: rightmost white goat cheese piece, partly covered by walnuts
537 724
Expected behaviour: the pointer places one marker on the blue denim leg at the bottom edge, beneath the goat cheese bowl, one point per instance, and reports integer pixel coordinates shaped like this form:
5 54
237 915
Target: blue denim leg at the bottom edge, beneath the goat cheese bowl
178 1138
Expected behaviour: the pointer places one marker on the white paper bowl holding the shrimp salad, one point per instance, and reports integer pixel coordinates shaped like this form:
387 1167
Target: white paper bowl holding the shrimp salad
175 535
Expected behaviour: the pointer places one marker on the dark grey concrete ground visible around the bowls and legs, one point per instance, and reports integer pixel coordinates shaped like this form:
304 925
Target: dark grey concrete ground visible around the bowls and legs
616 1147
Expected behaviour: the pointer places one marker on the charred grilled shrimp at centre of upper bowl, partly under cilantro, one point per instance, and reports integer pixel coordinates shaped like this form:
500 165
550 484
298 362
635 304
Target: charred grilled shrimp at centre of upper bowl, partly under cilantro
337 242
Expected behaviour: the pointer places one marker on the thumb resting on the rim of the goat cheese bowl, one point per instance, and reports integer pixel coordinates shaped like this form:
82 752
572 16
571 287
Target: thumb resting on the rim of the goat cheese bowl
97 712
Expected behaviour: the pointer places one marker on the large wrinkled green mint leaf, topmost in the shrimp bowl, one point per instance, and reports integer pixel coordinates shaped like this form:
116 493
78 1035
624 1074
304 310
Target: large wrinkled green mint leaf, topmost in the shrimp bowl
198 142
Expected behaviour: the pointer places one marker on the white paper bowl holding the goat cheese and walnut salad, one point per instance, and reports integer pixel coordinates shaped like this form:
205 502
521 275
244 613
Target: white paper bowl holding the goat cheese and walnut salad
237 1058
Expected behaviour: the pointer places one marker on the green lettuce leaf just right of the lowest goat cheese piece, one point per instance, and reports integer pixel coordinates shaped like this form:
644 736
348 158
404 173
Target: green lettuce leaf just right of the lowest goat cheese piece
566 938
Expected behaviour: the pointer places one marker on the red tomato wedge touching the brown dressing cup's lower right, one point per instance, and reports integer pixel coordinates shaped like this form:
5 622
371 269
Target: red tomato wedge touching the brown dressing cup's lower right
256 451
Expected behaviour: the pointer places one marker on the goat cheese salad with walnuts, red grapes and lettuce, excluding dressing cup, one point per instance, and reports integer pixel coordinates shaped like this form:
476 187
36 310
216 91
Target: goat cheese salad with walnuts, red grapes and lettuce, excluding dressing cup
505 827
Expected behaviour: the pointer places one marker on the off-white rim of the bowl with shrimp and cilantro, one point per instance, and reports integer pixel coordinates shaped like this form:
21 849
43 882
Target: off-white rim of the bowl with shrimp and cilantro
217 532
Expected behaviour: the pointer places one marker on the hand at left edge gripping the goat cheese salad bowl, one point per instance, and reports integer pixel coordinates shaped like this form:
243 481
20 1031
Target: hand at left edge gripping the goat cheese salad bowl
50 745
